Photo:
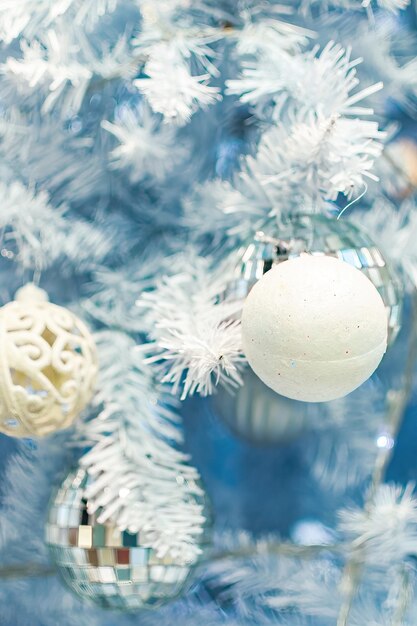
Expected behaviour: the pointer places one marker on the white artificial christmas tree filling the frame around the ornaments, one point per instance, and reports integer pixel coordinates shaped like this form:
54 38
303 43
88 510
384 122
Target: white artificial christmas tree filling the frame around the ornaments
144 145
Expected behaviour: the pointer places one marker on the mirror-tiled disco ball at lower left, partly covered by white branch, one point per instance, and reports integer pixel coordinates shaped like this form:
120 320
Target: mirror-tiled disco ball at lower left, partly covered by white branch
105 565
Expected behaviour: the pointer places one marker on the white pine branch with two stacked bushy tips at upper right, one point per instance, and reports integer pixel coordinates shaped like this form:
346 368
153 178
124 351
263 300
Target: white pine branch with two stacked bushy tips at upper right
317 147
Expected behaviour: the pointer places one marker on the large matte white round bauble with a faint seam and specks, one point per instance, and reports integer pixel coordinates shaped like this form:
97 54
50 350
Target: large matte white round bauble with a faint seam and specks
314 328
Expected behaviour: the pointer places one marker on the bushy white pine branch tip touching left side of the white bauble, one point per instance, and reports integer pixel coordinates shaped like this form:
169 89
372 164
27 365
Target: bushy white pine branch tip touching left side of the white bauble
196 339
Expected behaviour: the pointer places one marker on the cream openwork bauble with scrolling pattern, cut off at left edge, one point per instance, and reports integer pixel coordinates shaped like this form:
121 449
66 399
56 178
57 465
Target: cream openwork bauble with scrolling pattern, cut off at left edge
48 365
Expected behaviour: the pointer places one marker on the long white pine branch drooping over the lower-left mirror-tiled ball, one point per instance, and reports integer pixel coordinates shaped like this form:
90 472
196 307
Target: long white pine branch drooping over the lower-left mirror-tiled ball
141 481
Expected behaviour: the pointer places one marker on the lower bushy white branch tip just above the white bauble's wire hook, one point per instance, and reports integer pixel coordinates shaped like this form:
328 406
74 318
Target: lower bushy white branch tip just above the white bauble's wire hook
312 161
